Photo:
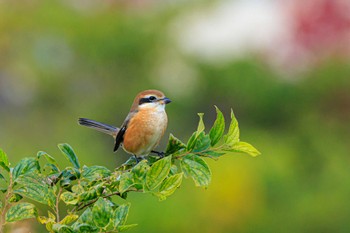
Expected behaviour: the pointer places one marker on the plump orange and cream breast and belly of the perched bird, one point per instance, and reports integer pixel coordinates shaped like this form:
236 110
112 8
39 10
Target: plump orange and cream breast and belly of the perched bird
144 131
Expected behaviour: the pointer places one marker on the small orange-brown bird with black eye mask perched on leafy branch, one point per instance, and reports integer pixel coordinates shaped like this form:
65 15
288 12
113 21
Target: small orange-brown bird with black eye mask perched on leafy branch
142 128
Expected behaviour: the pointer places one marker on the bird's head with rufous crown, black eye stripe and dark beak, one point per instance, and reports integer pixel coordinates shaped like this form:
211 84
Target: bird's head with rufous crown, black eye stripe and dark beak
150 99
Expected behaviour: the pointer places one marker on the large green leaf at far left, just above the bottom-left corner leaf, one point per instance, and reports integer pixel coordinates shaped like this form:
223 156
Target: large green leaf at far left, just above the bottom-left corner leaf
34 187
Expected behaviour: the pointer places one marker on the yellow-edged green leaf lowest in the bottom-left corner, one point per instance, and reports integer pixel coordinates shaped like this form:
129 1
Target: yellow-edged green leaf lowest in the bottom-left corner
21 211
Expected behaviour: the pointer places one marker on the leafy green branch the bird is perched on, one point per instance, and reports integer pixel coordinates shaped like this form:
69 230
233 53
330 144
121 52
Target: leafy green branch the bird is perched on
87 192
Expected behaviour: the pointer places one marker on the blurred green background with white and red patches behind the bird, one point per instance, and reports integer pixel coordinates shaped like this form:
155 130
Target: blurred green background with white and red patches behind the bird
283 66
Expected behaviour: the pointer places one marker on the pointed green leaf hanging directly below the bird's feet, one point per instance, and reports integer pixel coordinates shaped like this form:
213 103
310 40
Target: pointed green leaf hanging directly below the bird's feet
158 172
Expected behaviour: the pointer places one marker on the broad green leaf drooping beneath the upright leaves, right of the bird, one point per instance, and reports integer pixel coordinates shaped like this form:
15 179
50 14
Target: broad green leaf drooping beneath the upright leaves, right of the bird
194 166
